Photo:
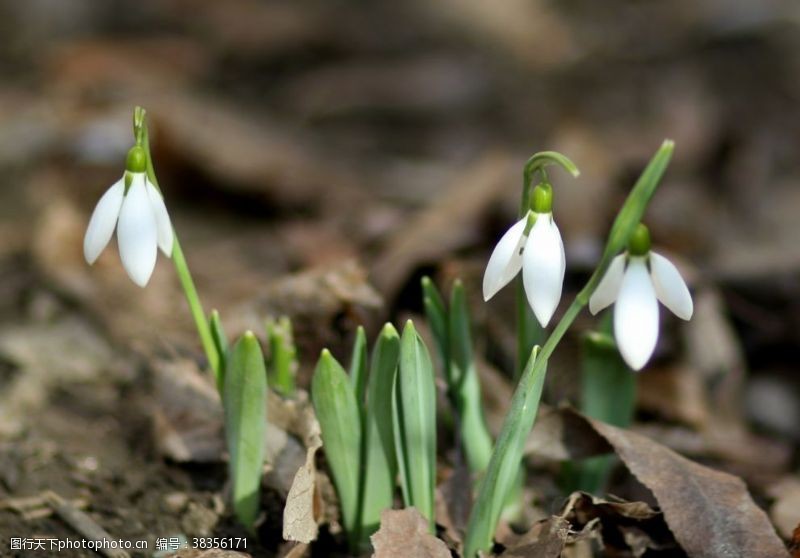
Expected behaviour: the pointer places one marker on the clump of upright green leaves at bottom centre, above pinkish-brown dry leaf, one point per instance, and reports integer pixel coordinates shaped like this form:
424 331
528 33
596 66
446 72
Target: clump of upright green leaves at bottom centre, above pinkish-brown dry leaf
377 421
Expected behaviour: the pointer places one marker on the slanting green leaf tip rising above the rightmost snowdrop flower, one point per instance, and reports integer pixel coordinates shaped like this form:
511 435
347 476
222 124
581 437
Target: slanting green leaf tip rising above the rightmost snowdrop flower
635 205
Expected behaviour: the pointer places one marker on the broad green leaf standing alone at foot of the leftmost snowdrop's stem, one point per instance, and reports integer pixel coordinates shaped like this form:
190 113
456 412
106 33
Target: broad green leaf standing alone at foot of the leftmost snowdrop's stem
245 405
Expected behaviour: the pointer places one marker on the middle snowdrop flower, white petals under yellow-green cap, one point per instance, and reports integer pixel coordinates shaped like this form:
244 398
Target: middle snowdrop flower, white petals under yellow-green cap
533 244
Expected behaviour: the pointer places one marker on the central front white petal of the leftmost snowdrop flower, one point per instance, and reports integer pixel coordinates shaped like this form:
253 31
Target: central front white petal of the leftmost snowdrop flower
136 233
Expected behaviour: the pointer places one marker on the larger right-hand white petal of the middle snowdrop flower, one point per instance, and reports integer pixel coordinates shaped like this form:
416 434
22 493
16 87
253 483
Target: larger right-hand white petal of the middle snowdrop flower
543 268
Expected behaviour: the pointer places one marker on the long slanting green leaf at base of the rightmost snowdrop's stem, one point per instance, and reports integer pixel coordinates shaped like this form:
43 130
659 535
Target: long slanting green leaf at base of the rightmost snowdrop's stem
504 465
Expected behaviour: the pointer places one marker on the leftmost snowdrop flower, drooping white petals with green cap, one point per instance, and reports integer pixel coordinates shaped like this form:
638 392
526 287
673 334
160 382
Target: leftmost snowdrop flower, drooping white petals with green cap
135 207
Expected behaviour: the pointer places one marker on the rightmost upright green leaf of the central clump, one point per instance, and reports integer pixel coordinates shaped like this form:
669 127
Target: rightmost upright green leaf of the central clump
415 424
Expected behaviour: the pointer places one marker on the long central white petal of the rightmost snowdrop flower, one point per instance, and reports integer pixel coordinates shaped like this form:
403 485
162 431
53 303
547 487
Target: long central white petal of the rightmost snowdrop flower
636 315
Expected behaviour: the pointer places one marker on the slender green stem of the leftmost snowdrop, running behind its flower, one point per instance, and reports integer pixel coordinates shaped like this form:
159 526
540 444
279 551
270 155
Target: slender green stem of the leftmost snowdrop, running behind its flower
181 267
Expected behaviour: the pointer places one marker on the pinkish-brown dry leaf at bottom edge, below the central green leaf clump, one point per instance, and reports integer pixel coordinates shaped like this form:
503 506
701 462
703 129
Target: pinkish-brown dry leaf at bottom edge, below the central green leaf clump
404 534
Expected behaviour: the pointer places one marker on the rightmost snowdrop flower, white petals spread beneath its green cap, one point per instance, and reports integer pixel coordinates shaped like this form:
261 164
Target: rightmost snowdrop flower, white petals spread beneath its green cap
636 281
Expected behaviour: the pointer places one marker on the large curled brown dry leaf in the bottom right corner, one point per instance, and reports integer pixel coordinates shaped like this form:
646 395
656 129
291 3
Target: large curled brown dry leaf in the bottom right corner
710 512
